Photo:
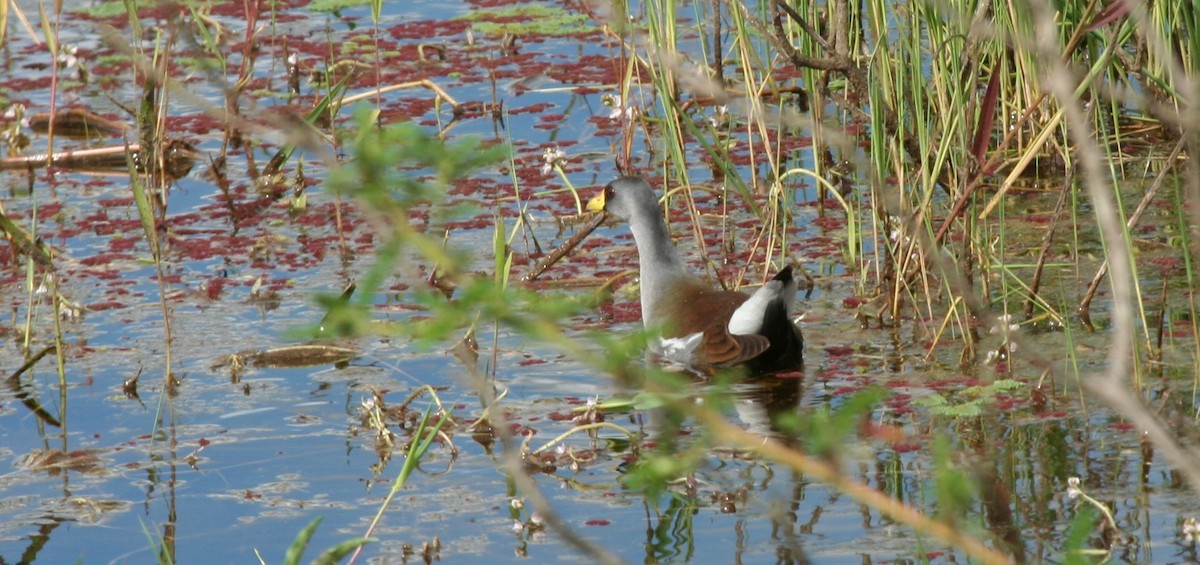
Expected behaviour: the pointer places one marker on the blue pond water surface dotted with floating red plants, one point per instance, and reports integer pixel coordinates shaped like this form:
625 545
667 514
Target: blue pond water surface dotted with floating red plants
283 447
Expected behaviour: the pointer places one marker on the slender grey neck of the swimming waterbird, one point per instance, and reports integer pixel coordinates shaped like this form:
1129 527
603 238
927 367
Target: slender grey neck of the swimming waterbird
658 260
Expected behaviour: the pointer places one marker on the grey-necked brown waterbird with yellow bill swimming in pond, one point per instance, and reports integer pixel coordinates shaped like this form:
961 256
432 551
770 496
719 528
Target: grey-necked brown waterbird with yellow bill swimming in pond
704 328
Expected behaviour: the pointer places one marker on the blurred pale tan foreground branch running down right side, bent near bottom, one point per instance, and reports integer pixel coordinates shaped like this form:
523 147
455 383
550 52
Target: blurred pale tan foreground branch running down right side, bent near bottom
1113 388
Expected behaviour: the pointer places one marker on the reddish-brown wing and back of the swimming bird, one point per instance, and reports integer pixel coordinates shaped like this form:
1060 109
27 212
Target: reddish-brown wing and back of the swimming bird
694 308
